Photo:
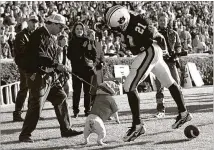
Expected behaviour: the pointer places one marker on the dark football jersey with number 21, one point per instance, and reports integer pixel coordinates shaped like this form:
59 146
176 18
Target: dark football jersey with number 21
139 33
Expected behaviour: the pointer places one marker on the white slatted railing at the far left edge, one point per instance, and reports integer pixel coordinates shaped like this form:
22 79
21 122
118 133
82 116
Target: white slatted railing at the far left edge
8 99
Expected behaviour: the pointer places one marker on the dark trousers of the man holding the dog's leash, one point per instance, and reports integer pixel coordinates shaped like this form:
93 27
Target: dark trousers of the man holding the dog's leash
42 87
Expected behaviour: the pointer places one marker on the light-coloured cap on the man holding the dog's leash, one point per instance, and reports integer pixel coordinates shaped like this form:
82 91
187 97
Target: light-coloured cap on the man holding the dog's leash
57 18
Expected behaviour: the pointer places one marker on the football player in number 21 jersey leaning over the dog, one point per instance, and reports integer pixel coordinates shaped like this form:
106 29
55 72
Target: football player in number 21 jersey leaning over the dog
144 41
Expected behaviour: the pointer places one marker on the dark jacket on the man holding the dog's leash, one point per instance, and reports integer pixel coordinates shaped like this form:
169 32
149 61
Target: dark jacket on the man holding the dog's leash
42 54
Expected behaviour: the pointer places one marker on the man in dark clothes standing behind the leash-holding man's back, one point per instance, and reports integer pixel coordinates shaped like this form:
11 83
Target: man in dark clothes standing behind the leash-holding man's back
20 44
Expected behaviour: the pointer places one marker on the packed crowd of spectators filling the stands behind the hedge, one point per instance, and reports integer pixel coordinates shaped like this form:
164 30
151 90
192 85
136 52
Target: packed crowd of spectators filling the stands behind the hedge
192 20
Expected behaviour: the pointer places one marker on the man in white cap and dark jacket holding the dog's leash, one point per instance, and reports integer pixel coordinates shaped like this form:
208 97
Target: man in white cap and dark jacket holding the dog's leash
41 62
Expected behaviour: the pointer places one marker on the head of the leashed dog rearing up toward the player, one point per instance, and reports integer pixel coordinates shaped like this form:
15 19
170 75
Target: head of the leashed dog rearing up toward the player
107 87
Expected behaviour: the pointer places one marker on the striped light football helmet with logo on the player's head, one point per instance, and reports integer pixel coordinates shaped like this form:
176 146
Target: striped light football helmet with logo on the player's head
117 17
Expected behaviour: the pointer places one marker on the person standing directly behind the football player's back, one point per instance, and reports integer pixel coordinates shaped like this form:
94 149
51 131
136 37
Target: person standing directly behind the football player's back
173 47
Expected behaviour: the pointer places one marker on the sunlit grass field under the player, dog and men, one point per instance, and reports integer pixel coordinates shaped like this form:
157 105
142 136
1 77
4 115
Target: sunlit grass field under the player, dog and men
159 135
